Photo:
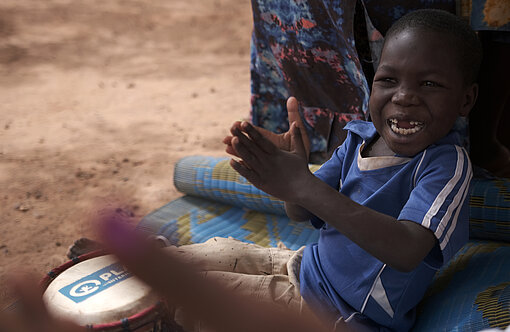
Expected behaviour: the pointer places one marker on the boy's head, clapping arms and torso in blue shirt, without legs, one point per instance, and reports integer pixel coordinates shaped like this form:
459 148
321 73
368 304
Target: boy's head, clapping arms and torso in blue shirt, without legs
391 202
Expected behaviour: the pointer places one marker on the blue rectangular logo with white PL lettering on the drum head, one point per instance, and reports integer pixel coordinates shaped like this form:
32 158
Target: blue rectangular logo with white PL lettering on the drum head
94 283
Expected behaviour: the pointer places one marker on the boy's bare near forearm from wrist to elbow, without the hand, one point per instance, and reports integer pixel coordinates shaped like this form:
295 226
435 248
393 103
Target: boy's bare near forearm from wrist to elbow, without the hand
399 243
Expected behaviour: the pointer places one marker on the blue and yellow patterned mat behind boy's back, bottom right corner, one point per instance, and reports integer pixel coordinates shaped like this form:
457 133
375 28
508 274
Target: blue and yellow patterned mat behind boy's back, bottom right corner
471 293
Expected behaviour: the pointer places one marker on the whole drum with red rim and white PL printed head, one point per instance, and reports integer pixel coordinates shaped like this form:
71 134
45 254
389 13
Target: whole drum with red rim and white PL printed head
96 291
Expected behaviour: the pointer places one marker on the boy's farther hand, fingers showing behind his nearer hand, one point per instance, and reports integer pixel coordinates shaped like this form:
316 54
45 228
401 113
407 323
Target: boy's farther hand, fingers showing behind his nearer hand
282 141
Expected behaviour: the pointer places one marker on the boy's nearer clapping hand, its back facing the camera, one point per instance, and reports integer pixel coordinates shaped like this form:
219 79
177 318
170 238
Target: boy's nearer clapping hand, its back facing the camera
276 172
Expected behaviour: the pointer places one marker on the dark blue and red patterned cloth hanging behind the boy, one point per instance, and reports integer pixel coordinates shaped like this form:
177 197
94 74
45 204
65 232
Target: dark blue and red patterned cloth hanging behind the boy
307 49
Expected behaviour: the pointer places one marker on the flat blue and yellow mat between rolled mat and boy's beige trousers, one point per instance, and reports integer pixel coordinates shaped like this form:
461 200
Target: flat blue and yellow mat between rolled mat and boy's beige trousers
191 219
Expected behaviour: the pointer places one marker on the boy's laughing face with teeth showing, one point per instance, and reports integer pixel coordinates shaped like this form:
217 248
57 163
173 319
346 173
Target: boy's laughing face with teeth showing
418 91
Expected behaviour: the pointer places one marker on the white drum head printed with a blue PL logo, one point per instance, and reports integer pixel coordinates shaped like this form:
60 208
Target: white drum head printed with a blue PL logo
96 291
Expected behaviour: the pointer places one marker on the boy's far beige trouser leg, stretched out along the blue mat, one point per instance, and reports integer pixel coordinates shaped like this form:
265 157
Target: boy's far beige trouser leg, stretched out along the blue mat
230 255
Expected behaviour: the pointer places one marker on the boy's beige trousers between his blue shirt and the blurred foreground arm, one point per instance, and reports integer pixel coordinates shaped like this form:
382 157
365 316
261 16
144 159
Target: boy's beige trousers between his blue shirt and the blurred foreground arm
265 274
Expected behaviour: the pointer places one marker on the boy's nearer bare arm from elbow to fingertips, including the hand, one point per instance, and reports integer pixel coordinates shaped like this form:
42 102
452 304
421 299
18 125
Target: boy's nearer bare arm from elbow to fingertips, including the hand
400 244
